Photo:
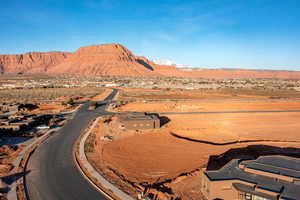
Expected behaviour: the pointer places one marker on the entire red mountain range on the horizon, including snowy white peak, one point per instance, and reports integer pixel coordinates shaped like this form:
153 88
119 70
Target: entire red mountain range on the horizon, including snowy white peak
117 60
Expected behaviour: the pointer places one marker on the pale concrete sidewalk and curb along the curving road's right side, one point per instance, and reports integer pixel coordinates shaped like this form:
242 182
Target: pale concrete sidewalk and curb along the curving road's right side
92 173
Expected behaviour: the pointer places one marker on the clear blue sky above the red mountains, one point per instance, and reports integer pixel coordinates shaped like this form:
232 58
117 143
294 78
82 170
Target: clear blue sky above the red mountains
263 34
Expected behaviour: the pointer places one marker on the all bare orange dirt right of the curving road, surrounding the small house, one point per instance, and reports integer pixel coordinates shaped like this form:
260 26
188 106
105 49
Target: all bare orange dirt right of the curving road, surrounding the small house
168 161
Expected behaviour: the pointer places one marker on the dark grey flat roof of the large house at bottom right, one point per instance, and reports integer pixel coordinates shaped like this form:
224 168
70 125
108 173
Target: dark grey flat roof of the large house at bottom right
273 164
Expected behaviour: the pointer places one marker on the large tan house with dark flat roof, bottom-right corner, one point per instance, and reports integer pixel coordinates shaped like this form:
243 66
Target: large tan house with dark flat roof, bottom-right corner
266 178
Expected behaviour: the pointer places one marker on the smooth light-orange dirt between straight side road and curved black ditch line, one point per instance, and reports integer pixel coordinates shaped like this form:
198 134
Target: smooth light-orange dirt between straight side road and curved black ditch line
223 128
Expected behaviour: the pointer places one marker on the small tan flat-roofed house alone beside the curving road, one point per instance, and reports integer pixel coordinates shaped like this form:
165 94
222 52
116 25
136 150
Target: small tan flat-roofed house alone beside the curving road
139 121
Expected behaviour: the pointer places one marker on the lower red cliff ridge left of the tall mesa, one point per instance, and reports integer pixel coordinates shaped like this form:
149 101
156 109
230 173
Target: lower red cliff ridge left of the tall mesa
31 62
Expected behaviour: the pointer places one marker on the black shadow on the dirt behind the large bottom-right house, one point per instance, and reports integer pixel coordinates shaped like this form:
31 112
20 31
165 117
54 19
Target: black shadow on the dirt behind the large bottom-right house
215 162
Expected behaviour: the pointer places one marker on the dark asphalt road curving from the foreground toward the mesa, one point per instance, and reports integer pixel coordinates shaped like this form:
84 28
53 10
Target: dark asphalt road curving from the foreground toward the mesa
52 172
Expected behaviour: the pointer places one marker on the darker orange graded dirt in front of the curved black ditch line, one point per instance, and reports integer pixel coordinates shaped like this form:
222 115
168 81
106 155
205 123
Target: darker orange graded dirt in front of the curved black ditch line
154 157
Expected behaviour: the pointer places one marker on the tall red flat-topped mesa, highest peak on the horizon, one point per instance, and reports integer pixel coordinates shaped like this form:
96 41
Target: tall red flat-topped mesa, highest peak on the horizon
108 59
